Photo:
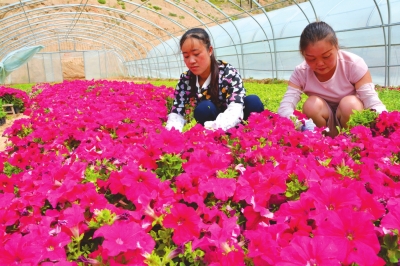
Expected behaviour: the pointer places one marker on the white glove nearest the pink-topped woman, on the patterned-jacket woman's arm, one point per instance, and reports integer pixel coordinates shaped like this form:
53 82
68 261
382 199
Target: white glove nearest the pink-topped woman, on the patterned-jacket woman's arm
228 119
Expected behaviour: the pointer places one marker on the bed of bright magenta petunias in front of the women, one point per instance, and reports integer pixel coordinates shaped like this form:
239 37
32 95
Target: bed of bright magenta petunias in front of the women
94 177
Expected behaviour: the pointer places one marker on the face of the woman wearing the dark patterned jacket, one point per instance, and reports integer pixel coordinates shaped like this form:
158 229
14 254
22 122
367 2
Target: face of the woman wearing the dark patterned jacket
197 57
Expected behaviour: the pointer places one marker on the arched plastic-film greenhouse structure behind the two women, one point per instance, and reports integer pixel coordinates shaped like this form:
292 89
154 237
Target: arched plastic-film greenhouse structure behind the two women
87 39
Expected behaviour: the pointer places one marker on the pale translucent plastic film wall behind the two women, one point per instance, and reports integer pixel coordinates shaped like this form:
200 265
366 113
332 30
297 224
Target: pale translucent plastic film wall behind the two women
266 45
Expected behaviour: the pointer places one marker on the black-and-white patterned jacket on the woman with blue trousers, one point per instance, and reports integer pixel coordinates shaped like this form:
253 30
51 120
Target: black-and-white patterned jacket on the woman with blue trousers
230 89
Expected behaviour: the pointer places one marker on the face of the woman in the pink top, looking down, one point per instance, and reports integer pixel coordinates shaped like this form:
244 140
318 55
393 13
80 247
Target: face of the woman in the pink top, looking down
321 56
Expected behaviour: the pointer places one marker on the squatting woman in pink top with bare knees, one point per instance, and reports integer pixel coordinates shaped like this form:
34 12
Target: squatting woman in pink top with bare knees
335 81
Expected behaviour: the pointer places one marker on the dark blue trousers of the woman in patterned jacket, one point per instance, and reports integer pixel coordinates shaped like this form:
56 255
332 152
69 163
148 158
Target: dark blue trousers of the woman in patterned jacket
207 111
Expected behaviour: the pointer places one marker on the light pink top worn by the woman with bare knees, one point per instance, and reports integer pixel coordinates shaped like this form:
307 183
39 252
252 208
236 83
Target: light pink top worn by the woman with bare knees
350 69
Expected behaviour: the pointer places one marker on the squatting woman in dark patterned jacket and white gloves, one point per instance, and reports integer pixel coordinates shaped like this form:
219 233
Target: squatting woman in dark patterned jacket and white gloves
214 88
